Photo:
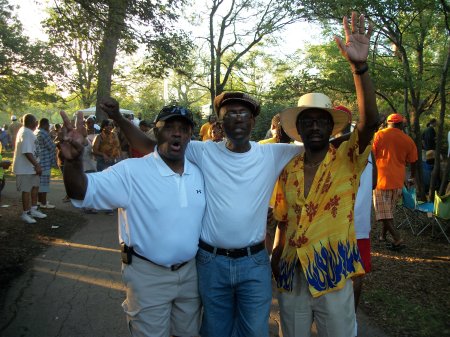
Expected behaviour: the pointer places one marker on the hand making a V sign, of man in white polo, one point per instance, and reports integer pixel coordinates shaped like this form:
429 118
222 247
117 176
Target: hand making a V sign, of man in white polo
71 139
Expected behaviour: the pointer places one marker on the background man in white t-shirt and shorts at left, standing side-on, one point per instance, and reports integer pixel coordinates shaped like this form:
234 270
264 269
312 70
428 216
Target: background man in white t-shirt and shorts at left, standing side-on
27 169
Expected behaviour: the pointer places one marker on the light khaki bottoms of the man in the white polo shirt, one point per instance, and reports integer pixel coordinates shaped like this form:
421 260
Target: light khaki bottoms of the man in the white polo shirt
161 302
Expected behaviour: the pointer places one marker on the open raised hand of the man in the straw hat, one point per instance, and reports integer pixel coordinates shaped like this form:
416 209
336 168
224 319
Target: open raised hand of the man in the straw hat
357 40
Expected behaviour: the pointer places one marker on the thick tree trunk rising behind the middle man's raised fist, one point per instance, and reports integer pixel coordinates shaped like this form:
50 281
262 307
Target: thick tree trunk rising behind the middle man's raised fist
108 50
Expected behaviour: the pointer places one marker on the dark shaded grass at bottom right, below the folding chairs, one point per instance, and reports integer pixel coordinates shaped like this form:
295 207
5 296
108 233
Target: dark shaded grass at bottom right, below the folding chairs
407 293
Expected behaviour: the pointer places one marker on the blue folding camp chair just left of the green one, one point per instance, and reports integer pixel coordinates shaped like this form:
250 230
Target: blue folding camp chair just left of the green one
415 213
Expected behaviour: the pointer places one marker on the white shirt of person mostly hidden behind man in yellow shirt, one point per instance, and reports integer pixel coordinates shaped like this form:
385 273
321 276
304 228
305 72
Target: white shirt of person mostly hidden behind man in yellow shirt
363 203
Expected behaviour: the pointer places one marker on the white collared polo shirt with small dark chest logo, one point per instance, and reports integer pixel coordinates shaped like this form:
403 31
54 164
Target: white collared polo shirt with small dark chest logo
160 212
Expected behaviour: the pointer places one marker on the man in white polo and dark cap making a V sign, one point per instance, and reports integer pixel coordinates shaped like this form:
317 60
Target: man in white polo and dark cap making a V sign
161 201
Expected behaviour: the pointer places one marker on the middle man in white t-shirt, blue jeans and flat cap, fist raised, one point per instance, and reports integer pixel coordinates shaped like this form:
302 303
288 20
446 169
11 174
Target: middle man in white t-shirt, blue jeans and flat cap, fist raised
232 262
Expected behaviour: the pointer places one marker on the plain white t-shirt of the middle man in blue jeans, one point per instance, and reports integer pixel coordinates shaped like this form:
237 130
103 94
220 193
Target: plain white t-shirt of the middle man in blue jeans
238 189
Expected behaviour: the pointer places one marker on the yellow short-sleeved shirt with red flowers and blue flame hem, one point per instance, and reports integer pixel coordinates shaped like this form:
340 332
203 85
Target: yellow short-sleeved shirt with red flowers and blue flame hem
320 228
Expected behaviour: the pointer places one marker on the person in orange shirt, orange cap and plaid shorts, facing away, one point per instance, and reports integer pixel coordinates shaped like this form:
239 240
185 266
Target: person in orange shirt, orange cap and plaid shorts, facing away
393 150
